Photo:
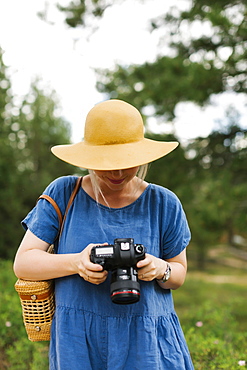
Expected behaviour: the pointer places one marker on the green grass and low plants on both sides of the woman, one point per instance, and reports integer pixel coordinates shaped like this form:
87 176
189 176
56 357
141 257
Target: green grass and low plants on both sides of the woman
213 316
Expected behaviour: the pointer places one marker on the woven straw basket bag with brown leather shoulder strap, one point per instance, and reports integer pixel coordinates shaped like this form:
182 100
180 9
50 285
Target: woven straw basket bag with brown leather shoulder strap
37 297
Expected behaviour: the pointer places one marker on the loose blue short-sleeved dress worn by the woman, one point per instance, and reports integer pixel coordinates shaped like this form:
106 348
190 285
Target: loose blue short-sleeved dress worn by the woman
89 332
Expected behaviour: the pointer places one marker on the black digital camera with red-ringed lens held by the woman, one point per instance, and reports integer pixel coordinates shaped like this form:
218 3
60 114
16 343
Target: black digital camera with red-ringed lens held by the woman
121 258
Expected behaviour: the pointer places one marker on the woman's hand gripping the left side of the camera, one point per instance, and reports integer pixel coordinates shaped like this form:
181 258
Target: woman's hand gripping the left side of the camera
89 271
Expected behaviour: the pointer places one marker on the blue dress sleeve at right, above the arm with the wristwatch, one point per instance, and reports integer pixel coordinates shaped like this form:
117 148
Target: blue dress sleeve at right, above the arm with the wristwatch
177 235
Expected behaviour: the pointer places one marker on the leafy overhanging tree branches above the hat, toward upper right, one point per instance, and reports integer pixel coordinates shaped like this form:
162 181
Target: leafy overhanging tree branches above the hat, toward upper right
207 54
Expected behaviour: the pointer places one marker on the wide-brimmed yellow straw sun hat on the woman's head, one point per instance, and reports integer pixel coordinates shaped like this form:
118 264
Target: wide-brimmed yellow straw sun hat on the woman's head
113 140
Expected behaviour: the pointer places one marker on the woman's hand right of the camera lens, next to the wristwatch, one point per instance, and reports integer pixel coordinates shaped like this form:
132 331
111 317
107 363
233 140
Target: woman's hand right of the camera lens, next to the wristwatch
151 268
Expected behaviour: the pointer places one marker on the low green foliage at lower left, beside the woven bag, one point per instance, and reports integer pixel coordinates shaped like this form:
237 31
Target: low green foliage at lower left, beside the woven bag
16 351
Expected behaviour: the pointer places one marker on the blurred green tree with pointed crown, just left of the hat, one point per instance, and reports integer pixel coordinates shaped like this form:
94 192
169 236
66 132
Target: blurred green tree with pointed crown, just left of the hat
38 128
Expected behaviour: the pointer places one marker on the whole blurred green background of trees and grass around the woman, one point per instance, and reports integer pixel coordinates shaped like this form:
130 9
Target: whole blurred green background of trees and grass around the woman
209 174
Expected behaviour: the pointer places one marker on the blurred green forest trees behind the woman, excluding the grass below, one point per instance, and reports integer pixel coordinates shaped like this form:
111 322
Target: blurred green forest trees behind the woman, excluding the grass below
208 174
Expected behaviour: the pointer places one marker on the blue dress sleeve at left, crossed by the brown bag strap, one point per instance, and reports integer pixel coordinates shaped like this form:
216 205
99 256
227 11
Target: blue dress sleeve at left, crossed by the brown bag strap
42 220
